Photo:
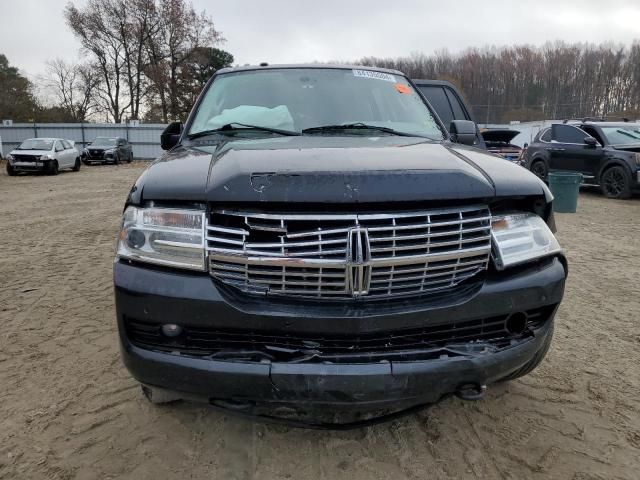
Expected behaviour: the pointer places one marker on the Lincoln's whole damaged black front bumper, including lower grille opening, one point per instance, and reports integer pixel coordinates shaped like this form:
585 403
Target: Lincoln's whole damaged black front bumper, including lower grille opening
309 377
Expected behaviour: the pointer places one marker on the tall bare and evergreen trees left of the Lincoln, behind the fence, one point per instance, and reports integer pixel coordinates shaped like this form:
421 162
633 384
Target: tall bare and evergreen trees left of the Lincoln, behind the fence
140 59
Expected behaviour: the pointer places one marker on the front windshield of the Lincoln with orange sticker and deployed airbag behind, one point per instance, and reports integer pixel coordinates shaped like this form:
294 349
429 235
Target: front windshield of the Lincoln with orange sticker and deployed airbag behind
302 98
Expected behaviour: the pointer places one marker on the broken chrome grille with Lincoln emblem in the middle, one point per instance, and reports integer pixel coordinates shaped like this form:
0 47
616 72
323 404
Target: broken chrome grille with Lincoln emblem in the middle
348 255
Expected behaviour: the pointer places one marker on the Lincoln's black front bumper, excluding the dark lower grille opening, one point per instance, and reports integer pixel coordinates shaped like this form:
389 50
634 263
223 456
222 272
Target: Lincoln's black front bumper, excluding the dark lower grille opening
192 299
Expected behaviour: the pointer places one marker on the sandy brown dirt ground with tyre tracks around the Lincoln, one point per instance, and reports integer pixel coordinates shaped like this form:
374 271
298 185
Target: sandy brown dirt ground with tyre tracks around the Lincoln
68 408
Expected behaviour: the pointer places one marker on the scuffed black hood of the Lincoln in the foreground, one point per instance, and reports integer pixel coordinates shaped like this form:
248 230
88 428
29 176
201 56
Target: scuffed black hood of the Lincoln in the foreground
316 169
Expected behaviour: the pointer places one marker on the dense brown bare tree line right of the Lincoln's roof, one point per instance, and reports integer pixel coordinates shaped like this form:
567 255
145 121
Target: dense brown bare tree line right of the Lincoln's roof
555 81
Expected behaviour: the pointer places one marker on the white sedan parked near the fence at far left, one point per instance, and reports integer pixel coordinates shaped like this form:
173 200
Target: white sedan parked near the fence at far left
43 155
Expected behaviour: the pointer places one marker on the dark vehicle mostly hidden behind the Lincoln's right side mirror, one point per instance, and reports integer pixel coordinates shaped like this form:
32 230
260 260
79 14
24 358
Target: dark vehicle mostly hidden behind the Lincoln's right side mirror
448 104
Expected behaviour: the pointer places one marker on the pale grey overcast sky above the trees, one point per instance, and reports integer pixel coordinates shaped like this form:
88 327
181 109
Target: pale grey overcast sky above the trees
288 31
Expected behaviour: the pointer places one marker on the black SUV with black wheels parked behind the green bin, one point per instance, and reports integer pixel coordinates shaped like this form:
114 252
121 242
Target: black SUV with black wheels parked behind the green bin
606 153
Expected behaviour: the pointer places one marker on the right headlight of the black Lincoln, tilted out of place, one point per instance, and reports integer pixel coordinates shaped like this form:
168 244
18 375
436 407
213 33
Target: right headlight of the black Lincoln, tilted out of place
519 238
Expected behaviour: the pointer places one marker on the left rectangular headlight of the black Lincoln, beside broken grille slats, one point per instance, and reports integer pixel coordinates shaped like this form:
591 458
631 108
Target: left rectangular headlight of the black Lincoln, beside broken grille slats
163 236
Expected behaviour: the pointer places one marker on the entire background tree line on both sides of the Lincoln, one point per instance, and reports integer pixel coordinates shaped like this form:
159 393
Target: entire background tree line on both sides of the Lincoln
149 59
